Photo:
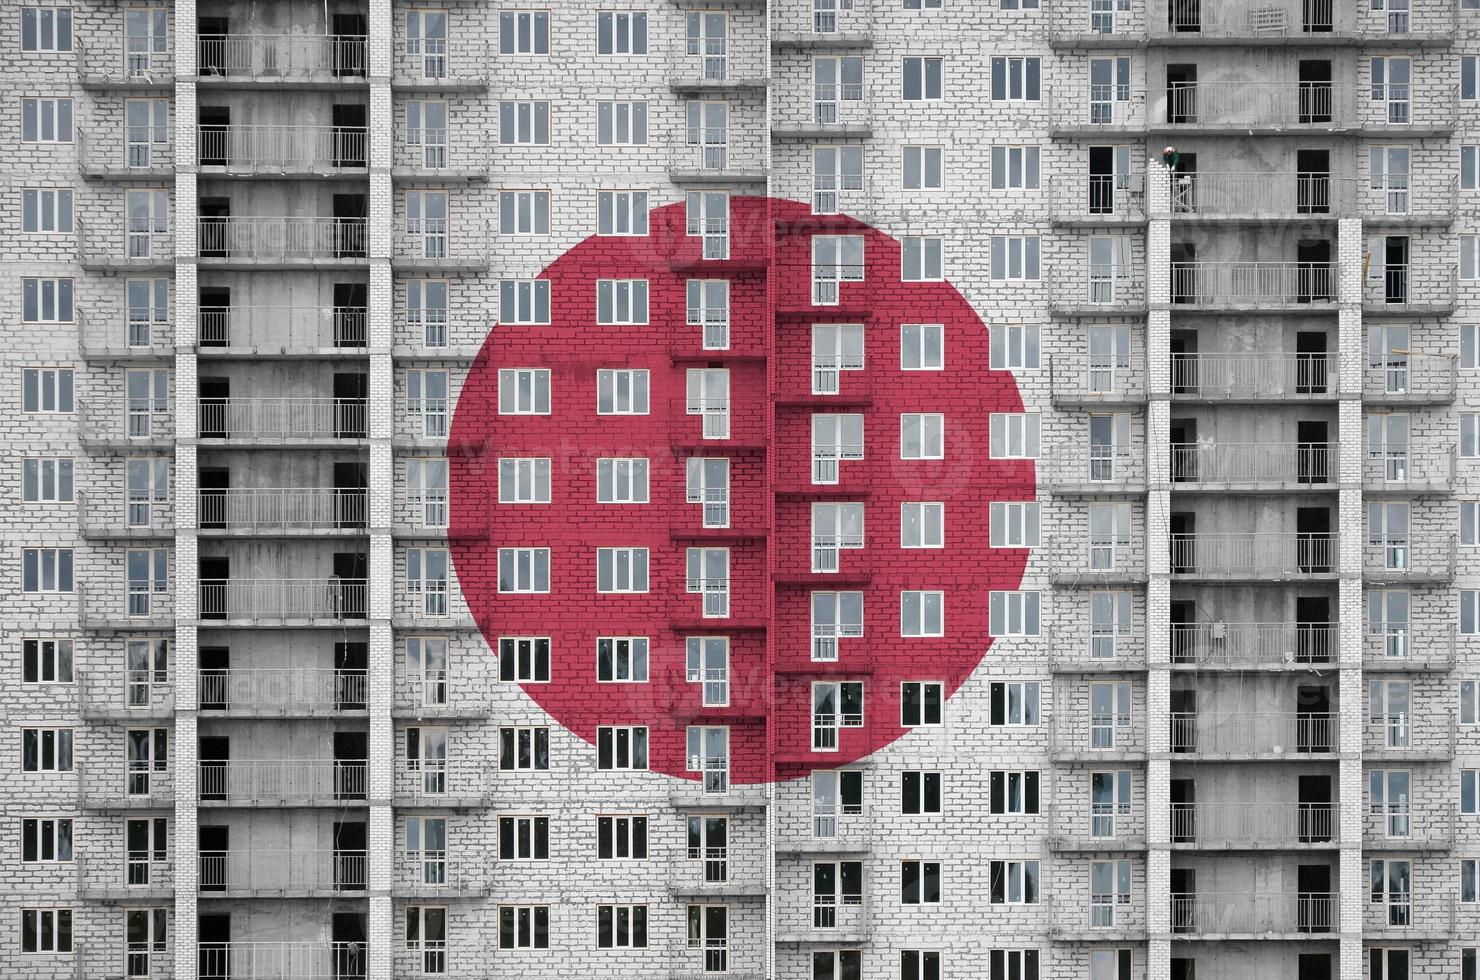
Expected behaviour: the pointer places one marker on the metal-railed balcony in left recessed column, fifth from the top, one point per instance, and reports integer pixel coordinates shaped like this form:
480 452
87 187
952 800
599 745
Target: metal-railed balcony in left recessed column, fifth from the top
282 421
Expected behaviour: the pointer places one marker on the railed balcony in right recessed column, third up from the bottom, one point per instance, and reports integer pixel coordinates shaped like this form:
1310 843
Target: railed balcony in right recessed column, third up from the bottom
1253 735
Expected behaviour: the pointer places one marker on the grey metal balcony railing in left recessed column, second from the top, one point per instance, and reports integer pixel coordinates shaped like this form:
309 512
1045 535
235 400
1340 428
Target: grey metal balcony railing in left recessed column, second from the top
283 149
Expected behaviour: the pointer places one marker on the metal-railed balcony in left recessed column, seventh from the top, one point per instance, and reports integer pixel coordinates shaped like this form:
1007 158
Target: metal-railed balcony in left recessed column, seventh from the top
282 602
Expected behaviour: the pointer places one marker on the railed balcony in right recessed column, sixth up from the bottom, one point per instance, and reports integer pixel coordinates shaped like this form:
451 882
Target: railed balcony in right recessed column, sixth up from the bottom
1247 467
